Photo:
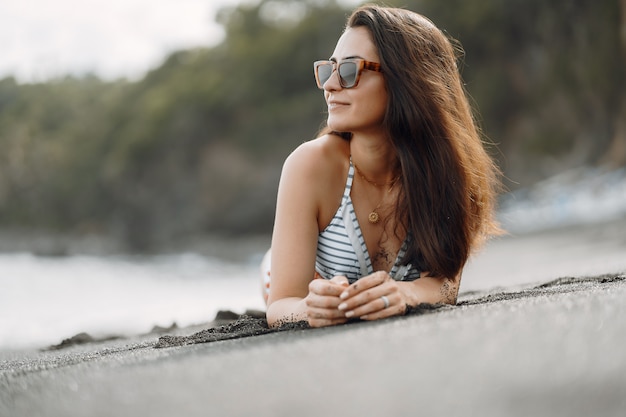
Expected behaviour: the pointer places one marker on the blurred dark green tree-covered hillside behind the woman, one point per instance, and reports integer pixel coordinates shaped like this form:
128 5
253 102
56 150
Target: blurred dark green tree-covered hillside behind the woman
196 147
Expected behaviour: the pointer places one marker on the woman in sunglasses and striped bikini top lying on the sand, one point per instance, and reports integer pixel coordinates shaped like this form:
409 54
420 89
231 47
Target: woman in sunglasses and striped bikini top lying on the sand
387 204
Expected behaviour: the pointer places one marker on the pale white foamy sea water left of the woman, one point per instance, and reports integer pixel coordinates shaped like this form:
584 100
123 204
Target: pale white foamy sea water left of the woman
46 299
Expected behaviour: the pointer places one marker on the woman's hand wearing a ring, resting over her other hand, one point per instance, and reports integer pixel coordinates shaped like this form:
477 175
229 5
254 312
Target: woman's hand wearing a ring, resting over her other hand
373 297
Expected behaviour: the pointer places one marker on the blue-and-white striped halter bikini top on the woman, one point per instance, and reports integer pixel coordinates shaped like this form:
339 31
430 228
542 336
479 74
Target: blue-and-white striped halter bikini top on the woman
341 248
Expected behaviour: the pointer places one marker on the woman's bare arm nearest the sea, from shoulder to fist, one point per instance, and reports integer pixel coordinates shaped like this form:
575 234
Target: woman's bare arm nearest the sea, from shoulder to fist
309 177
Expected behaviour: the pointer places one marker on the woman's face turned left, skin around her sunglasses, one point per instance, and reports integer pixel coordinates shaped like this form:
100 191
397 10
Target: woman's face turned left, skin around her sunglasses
360 109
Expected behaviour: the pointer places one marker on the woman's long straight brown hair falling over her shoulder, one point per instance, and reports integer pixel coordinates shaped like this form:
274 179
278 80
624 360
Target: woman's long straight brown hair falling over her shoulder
450 183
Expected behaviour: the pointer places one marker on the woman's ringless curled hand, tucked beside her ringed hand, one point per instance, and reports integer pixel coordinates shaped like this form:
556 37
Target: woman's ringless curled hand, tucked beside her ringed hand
323 301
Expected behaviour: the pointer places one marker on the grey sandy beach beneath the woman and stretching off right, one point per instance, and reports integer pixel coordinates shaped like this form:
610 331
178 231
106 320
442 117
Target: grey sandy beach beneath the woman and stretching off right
549 344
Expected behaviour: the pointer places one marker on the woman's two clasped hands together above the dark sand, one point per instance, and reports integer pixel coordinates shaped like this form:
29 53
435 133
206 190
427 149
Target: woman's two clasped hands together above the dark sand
335 301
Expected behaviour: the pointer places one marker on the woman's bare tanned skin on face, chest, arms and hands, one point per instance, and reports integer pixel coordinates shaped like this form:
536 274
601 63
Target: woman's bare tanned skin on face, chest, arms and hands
310 191
